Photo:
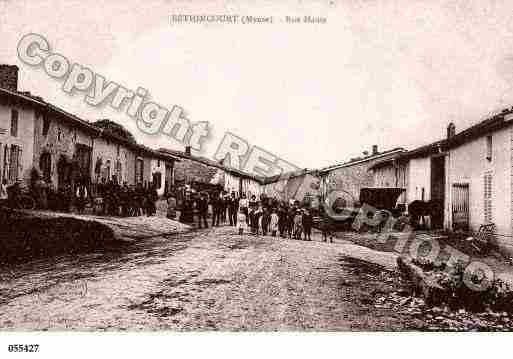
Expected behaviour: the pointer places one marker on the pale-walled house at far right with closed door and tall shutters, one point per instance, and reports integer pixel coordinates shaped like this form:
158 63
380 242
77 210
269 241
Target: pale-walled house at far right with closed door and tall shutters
479 177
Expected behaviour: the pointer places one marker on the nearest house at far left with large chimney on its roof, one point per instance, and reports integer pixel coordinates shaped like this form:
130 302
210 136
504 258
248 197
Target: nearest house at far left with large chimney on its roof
36 134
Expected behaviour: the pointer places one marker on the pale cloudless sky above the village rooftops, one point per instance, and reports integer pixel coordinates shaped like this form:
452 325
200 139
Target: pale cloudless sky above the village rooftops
390 73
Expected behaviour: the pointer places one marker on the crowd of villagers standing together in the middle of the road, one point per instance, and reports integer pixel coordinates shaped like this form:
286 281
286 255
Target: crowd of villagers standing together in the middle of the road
262 216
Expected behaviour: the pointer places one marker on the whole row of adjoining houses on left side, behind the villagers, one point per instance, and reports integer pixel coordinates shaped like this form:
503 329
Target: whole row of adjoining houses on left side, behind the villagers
66 149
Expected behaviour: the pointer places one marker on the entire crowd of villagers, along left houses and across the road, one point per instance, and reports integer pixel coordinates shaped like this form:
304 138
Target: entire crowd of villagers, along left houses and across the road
257 216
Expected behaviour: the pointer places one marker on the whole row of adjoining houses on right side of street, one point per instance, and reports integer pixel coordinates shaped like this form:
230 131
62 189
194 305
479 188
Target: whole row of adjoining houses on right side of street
469 174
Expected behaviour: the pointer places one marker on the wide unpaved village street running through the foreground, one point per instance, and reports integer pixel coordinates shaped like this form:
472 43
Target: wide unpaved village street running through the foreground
206 280
